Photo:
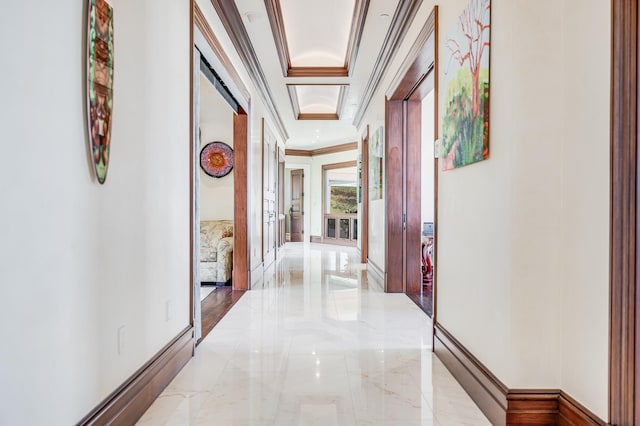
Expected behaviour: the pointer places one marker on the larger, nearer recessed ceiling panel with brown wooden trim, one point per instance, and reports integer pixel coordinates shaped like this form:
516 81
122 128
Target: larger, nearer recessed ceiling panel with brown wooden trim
317 39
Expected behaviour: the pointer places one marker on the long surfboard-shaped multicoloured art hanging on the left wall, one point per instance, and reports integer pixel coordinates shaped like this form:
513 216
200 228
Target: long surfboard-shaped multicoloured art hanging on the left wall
100 84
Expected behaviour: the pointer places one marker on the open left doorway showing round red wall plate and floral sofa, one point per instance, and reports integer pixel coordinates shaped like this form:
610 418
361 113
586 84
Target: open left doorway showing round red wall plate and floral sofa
230 98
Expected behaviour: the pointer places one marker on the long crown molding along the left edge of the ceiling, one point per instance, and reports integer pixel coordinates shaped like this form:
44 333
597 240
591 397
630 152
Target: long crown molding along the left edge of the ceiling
232 21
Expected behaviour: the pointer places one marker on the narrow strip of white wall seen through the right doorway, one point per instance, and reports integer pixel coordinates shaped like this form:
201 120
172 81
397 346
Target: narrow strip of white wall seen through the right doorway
428 163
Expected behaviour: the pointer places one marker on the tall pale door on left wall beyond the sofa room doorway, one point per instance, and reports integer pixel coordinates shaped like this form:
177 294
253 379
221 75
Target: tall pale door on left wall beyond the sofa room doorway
269 195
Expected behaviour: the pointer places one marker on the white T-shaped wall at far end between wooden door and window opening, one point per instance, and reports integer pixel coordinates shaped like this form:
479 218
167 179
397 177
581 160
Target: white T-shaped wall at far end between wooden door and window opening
315 189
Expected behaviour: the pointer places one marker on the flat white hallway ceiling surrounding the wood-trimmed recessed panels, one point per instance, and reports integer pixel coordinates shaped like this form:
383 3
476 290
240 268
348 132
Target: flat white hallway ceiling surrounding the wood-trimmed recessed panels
310 18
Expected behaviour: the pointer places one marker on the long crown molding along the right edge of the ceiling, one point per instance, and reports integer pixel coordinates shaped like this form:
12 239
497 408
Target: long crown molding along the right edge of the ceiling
402 19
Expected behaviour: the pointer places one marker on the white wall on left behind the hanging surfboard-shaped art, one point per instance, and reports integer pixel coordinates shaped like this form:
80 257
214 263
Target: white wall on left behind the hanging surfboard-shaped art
79 259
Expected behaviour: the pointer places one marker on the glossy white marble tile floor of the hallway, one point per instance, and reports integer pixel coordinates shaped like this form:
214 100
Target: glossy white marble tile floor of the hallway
317 343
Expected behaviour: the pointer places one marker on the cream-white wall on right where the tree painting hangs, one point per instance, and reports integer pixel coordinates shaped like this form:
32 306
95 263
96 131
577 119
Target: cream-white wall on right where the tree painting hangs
523 237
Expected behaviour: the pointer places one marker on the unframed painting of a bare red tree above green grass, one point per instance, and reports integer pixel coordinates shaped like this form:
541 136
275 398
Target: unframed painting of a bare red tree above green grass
465 125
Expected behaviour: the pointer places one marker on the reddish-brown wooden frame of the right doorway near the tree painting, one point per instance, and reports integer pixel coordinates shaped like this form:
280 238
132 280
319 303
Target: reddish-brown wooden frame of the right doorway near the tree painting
402 160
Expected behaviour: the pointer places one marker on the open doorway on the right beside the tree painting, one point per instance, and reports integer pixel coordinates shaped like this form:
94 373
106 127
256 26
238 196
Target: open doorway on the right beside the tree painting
410 265
